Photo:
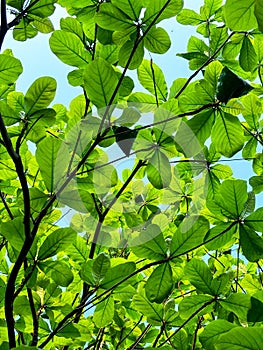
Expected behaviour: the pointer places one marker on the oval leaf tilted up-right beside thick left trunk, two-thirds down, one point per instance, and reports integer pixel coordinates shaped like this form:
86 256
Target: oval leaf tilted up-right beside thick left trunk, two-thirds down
57 241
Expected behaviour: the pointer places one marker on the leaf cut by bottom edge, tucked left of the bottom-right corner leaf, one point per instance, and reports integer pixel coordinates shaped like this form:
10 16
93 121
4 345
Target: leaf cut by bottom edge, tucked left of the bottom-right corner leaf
212 332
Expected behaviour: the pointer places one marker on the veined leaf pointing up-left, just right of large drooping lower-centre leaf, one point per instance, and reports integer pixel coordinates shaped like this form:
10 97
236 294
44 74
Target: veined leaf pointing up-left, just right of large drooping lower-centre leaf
200 276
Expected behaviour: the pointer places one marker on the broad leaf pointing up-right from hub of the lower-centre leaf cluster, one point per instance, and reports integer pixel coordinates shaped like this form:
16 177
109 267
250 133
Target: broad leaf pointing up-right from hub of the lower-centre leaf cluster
190 234
